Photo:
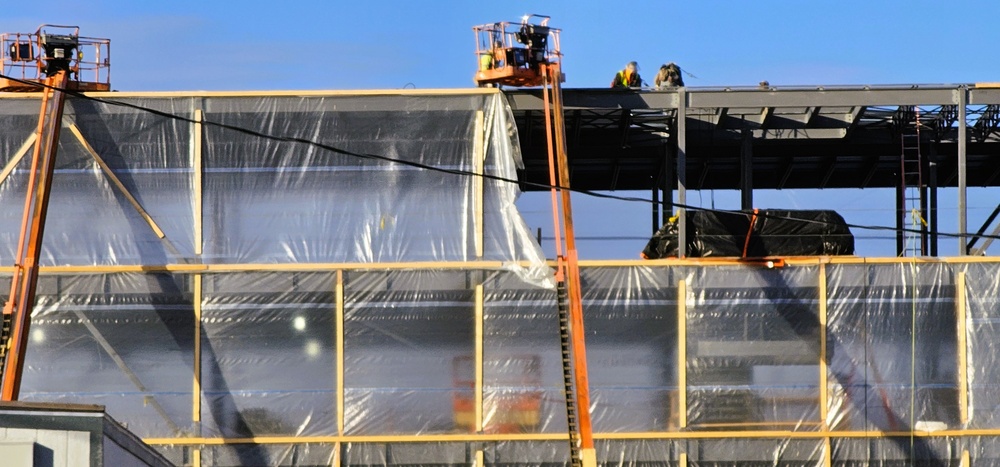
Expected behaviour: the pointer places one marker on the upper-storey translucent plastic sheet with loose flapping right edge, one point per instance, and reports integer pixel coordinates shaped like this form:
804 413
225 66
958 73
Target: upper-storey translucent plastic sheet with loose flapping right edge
270 201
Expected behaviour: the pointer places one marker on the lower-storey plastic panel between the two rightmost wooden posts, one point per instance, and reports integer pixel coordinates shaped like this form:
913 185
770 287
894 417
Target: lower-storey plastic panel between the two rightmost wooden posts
892 346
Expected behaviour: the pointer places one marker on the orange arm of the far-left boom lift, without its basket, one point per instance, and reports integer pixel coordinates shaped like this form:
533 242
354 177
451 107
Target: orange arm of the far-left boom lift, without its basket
22 293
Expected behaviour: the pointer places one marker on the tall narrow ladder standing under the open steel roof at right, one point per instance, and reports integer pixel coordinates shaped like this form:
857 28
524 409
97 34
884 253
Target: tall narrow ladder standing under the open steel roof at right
912 186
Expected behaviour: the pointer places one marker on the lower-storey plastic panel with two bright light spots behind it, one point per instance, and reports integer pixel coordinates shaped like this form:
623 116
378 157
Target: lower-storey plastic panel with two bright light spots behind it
268 357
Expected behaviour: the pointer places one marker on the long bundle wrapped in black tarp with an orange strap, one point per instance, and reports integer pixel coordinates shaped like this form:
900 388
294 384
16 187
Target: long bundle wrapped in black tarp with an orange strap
756 234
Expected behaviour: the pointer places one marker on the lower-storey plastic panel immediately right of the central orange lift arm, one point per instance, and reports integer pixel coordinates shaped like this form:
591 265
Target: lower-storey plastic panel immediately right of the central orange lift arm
630 317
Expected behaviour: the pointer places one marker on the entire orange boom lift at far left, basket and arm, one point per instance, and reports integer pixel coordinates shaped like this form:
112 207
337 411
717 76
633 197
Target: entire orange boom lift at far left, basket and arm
50 61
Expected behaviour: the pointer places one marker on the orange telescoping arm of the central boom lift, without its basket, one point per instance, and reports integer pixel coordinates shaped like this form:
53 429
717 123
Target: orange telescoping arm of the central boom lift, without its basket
572 269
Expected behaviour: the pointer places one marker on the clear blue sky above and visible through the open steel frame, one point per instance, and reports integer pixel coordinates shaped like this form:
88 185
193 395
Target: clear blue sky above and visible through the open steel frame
246 45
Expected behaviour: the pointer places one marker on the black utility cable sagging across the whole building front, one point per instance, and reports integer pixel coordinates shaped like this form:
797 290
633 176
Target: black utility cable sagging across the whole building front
469 173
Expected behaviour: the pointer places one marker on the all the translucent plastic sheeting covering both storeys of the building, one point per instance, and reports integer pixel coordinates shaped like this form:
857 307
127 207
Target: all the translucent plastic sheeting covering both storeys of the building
286 225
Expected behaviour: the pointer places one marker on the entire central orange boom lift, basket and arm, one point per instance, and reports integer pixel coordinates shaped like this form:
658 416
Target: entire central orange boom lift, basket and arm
526 54
